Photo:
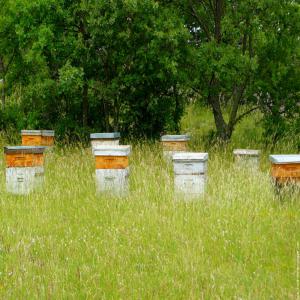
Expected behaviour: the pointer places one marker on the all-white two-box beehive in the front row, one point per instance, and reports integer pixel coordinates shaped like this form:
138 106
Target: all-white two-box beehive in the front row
190 174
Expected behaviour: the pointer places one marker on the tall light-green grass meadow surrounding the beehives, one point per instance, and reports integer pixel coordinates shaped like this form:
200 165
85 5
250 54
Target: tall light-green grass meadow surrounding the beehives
240 241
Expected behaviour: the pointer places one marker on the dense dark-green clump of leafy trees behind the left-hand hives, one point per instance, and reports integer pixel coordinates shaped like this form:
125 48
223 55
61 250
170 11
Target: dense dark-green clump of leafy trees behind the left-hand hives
114 65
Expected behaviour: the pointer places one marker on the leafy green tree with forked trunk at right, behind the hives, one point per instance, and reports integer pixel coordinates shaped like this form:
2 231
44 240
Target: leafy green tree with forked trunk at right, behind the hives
229 39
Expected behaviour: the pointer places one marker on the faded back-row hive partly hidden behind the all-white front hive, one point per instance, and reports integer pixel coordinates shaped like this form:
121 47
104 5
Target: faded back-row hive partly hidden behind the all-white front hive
174 143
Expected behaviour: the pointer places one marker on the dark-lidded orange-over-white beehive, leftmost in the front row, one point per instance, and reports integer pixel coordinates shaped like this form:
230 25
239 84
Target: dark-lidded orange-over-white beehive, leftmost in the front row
24 168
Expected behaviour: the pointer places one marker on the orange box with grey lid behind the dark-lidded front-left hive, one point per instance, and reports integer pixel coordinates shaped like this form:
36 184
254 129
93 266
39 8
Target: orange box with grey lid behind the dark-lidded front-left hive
37 137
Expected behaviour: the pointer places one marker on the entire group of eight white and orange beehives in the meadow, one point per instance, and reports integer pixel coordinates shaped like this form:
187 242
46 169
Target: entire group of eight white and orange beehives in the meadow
25 164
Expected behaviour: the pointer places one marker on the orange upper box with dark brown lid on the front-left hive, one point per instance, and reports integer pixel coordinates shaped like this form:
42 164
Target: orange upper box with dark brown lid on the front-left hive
24 156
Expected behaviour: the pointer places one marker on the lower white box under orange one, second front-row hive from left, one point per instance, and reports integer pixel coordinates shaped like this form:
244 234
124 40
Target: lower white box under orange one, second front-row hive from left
113 181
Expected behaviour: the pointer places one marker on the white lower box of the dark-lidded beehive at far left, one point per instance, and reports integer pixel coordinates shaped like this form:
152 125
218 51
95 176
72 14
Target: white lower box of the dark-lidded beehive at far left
22 181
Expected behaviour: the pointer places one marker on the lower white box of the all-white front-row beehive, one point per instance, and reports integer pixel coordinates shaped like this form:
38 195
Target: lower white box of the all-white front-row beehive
189 186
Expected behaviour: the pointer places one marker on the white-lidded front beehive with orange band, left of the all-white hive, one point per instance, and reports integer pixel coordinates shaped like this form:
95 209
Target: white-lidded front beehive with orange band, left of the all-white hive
112 169
